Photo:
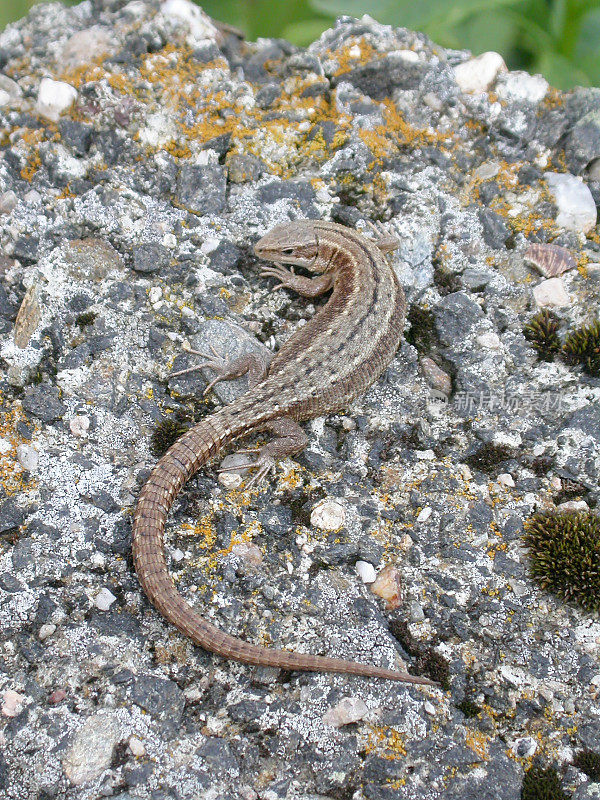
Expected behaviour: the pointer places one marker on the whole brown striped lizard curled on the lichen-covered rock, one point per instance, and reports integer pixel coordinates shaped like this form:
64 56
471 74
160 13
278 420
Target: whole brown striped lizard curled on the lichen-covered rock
340 352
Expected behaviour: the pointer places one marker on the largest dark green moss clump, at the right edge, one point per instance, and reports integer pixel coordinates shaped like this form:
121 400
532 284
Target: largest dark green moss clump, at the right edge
565 555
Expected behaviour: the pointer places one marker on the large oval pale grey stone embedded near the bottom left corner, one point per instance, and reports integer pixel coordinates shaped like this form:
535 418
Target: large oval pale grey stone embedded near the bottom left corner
91 750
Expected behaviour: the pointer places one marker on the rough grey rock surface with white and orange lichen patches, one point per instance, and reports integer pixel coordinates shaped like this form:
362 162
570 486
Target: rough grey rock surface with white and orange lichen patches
129 205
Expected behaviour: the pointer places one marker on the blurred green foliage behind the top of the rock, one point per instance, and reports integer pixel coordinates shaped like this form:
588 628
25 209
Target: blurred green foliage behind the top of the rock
559 38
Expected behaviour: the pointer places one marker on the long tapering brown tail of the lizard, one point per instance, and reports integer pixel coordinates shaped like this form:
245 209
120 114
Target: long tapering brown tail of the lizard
179 463
